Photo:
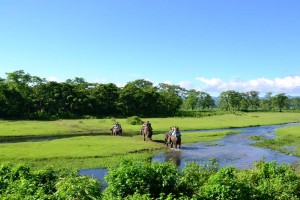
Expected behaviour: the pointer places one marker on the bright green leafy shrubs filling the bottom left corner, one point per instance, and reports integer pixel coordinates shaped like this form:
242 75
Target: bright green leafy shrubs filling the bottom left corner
19 182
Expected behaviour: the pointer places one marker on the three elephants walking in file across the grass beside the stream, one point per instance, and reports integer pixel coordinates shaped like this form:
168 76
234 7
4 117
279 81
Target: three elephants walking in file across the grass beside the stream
146 131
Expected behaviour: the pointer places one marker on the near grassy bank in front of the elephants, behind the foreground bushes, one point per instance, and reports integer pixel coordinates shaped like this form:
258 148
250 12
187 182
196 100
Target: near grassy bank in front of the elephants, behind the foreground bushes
92 151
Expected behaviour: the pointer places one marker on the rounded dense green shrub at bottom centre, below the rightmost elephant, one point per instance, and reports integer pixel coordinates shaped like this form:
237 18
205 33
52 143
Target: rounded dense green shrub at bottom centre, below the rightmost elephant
142 178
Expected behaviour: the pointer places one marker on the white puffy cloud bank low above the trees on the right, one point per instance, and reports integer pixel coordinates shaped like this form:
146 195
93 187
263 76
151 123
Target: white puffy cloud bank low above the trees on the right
288 85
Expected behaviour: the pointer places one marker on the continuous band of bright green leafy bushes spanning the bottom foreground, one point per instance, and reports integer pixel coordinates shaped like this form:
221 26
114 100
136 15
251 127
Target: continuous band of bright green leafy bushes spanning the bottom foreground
153 180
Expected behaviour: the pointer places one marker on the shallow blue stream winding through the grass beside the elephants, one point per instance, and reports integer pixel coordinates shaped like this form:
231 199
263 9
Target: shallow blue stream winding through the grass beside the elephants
234 150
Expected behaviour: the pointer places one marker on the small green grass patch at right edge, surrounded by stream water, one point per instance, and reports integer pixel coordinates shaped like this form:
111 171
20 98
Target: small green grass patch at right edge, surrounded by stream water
285 137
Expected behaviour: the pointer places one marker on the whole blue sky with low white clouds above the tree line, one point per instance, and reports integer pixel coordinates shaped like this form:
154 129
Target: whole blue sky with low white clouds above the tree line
211 46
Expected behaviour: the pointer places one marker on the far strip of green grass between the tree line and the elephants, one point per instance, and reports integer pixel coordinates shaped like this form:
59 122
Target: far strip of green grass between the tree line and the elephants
102 126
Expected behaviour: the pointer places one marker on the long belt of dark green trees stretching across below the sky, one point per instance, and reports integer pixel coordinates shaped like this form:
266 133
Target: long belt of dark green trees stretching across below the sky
23 96
